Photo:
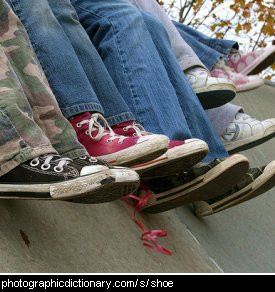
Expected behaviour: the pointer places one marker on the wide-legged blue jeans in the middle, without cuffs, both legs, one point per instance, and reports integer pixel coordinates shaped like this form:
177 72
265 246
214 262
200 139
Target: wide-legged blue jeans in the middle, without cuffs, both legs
137 53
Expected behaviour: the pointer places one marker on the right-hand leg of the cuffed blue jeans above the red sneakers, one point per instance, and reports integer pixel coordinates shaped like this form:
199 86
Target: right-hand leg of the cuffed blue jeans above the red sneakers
115 108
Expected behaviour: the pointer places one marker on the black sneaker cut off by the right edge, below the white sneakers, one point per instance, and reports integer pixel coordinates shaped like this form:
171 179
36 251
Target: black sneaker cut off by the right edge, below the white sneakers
256 182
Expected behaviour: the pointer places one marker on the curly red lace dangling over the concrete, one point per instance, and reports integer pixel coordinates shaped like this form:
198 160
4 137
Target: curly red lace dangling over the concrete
148 236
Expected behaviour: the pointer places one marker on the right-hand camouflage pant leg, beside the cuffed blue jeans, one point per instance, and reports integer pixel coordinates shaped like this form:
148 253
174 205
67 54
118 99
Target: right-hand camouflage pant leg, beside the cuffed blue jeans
46 112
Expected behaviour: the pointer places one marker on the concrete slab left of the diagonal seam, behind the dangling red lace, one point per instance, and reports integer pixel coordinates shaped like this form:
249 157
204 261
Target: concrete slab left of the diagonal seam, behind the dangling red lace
62 237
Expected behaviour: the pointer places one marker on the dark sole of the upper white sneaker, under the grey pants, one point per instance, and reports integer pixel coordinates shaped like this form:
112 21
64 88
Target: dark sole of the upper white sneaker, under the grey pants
215 98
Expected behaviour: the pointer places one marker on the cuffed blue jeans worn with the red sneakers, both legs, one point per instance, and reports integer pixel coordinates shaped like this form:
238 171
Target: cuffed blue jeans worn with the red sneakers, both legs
71 63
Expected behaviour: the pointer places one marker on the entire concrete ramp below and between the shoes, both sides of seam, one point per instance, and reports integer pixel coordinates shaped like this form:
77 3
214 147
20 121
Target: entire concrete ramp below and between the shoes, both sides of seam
63 237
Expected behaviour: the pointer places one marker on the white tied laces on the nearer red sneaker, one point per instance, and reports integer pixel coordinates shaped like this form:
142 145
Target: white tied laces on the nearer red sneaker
95 123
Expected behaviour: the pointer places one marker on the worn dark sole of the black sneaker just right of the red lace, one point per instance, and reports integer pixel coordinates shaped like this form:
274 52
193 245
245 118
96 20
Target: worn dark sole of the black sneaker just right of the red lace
218 180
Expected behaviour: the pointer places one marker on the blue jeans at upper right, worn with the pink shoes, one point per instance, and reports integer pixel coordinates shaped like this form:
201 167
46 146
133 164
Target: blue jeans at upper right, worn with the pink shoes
208 49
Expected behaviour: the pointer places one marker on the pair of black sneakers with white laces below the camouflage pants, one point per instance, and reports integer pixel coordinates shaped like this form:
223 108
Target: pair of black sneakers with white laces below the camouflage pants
54 177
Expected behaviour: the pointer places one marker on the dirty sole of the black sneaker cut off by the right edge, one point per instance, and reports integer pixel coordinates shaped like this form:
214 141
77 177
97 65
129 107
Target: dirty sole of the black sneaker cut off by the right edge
262 184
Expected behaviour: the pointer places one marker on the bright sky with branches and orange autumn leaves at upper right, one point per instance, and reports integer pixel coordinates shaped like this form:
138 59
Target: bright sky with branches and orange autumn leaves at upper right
249 22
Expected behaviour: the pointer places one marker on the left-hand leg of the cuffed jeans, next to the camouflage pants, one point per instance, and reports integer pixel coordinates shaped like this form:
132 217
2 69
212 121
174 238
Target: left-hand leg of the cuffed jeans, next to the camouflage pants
64 72
